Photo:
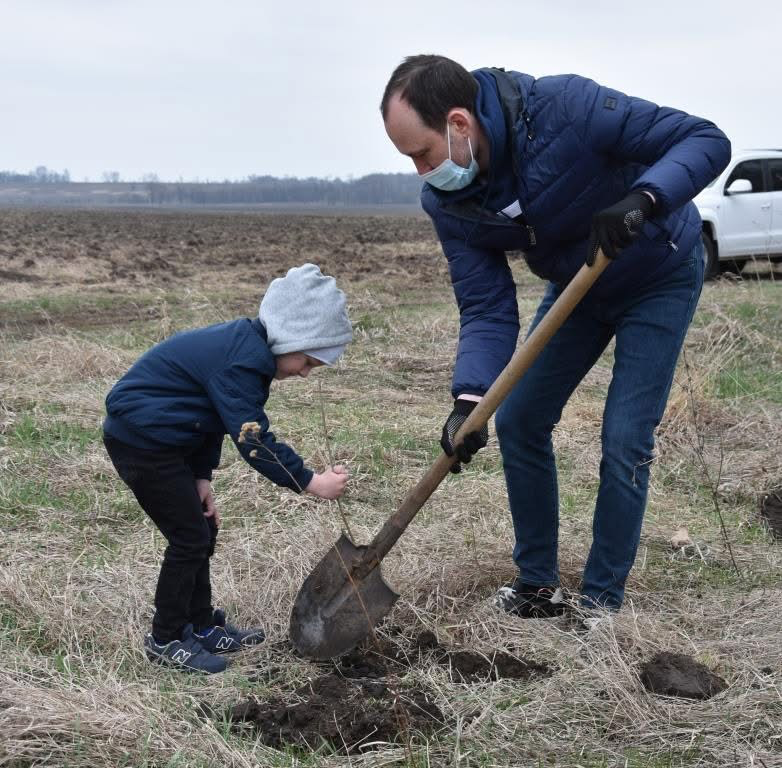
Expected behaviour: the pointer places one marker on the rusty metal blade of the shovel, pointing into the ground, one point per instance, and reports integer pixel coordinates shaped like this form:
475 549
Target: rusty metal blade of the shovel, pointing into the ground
334 610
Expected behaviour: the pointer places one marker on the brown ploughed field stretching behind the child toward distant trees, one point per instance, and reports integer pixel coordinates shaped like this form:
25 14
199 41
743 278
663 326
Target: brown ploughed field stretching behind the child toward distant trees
117 249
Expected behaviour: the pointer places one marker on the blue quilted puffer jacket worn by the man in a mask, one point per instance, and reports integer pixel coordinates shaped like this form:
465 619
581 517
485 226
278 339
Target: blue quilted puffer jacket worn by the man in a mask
579 148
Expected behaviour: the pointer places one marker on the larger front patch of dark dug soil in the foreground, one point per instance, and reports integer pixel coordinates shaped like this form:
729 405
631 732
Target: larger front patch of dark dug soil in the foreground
340 714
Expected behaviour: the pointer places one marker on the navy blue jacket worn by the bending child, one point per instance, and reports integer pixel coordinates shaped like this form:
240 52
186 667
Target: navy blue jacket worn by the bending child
191 389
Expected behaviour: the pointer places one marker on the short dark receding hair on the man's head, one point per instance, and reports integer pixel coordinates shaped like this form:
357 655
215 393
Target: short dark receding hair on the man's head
432 86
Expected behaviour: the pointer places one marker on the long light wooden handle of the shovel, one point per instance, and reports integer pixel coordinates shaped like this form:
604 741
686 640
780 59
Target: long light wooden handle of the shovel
522 359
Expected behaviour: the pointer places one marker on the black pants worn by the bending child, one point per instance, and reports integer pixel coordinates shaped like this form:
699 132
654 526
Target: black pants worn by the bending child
164 485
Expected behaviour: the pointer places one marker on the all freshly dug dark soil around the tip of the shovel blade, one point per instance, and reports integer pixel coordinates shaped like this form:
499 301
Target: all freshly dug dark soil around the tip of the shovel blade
360 704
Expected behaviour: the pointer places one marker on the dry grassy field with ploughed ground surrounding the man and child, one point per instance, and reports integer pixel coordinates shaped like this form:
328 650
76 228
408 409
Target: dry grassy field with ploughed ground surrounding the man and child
84 293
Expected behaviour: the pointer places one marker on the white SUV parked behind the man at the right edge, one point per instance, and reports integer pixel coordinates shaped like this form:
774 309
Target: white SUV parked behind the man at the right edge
742 212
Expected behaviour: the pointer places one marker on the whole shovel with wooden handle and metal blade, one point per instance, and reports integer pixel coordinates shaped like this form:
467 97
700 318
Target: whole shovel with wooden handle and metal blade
345 595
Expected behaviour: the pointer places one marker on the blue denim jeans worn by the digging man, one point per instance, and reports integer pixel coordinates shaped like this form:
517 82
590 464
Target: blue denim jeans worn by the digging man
649 327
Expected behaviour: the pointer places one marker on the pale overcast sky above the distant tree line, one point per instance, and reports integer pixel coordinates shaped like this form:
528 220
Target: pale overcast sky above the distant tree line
222 90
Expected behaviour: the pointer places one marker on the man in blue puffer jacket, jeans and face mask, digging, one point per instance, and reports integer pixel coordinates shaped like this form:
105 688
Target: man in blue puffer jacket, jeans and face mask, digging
558 167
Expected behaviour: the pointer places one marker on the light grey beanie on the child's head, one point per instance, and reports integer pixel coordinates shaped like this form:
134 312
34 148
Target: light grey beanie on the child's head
304 311
